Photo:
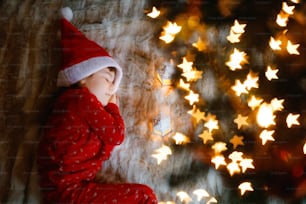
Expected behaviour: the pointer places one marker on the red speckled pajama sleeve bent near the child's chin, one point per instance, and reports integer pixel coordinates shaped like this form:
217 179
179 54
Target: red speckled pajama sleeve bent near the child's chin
106 122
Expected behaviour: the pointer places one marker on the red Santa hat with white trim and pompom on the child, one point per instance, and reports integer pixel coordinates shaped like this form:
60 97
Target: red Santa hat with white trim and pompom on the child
81 57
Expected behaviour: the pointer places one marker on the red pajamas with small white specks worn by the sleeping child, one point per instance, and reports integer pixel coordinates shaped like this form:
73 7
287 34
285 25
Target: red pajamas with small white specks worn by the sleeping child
79 136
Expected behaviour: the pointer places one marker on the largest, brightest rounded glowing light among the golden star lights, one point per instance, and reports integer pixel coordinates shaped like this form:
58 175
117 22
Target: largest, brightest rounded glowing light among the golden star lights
265 116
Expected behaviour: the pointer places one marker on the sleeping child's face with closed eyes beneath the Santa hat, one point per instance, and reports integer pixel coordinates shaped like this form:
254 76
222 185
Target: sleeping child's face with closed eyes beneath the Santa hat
101 84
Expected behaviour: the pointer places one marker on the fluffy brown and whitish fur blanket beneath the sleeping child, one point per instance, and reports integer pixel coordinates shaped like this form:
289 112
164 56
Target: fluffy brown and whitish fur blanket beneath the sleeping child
30 57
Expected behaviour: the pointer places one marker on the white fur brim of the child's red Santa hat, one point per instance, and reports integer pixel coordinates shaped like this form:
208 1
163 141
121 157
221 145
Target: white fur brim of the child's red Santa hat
79 71
